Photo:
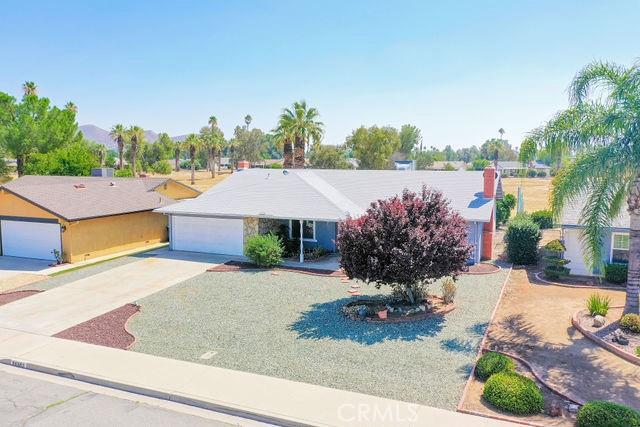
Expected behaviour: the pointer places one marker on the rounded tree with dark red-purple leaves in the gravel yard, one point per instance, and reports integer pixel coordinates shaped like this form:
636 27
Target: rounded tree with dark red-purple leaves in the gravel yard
405 242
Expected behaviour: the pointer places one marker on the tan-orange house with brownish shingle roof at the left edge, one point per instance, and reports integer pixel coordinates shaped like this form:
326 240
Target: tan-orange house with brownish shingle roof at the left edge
83 217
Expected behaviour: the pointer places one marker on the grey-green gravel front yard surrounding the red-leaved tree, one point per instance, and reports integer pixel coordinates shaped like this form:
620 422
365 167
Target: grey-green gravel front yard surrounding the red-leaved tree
289 326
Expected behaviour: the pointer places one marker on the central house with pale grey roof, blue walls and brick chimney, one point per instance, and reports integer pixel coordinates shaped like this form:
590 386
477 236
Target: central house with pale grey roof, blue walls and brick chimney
310 203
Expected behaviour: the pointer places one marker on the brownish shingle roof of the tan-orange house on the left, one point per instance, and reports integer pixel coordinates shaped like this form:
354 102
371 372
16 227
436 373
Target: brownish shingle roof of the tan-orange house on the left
62 196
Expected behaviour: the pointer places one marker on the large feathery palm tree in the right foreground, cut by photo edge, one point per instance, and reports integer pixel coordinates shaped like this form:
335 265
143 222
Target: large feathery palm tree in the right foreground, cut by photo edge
603 128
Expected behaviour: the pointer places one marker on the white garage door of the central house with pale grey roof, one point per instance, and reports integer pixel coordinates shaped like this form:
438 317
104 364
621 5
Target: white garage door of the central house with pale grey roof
209 235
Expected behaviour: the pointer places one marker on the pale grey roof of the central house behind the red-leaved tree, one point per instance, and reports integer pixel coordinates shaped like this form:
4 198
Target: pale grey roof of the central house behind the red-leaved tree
328 195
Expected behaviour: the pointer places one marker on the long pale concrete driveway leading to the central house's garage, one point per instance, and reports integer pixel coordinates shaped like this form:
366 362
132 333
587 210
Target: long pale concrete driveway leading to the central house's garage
58 309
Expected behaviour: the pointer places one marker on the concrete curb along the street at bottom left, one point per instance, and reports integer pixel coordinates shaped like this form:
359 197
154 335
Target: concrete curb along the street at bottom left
185 400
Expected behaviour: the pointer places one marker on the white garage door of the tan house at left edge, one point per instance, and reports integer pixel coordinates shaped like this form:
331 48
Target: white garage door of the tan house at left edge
30 239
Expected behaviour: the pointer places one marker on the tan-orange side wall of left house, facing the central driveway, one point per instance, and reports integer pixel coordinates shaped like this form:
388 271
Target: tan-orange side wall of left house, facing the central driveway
97 237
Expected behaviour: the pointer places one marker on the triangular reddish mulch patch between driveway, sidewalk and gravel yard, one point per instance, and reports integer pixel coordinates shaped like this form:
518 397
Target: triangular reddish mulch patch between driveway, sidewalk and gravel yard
109 329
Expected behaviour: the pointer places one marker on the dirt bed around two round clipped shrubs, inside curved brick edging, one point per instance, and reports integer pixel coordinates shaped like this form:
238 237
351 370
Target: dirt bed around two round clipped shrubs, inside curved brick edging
475 403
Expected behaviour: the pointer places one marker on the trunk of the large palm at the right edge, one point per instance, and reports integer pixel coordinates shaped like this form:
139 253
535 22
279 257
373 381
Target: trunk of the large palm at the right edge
633 275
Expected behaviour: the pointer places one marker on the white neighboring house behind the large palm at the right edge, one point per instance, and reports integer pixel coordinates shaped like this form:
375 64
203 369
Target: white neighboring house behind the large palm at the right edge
615 240
